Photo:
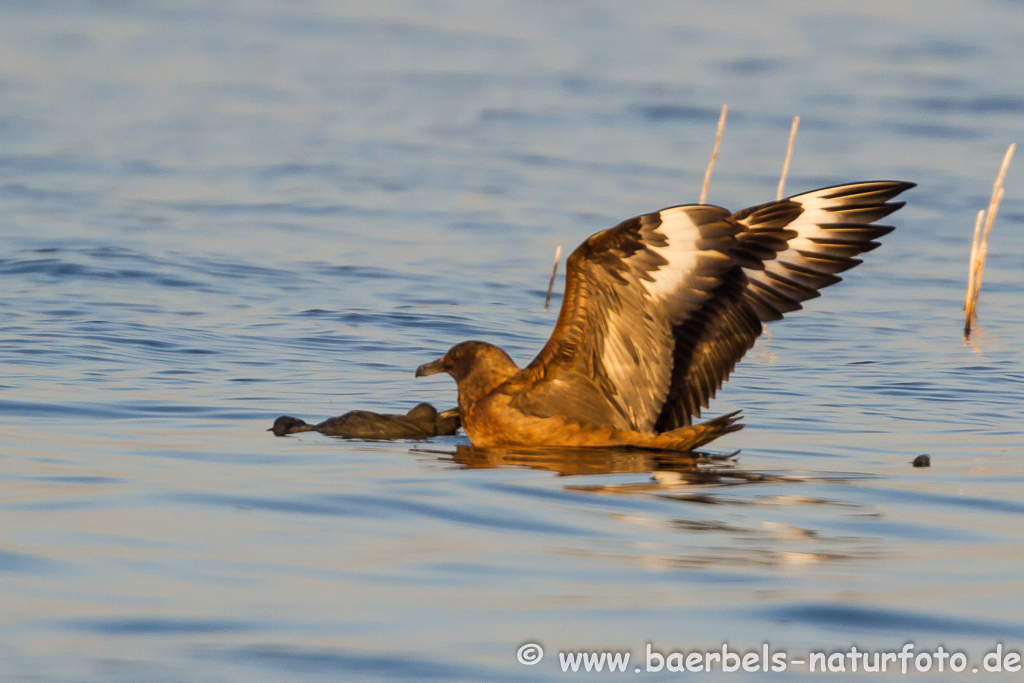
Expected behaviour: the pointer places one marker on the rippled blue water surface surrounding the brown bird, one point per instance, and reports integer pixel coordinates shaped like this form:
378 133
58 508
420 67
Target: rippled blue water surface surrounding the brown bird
212 215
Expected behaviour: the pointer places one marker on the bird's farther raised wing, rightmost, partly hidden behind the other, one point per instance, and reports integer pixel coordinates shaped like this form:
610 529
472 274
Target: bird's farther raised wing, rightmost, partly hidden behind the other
786 251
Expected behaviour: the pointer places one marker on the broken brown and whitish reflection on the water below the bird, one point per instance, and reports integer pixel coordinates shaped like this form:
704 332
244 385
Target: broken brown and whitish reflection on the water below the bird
697 479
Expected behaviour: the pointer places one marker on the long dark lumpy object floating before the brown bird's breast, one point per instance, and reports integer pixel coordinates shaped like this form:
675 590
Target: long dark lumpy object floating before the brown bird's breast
422 422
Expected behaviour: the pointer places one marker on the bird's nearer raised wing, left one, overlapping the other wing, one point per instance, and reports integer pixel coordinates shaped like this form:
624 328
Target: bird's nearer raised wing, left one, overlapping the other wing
610 359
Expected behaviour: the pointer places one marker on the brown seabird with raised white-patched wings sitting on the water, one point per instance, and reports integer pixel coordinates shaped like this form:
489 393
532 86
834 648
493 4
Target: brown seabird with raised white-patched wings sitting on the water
658 311
